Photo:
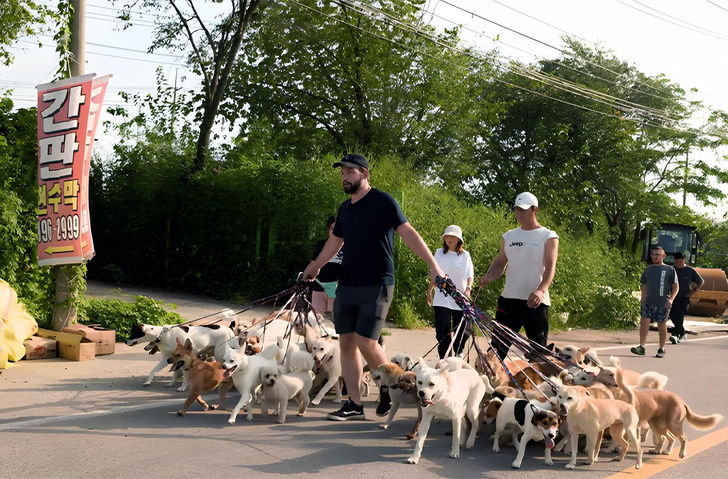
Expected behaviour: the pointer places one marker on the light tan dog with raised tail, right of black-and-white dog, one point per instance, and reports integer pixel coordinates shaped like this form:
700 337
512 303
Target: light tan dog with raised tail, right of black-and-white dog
591 416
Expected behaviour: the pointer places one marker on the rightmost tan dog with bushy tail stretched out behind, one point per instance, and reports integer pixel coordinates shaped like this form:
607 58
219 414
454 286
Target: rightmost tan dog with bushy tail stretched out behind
664 412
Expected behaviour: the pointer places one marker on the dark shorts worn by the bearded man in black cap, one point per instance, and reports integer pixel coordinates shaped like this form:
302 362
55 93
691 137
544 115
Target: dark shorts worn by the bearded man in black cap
362 309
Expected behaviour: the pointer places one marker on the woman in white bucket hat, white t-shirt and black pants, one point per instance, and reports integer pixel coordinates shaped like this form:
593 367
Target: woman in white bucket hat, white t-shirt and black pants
456 263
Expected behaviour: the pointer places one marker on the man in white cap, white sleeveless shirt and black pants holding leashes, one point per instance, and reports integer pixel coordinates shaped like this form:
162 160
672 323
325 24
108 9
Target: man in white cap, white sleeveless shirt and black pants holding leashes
530 252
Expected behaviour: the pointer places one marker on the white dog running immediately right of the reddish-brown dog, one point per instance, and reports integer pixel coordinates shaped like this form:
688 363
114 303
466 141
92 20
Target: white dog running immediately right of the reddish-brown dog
245 371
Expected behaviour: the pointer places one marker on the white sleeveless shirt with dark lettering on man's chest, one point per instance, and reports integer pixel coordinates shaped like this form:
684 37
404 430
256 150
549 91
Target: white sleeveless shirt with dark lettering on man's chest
525 252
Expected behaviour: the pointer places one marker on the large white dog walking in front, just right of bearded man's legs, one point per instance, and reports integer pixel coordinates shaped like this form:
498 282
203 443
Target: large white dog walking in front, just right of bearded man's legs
448 394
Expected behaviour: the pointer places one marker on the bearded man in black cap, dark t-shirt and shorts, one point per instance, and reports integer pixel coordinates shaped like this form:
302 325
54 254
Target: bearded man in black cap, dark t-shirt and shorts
365 228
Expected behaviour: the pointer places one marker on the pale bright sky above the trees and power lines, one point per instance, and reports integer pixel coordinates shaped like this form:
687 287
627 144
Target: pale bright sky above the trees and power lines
687 41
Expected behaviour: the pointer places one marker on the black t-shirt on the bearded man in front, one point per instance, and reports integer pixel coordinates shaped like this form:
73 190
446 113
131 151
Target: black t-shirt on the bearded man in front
367 227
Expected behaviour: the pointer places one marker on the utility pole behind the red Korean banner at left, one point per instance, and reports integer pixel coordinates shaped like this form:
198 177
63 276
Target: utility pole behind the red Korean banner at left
65 311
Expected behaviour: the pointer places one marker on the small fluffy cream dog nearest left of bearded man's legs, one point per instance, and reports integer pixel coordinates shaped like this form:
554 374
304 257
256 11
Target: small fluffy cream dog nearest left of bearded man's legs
279 387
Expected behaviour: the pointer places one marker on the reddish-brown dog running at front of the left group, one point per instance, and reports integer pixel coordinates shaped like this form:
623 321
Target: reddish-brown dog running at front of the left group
198 375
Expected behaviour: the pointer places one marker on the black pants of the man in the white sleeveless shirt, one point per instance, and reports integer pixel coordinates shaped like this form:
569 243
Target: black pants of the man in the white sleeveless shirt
515 314
